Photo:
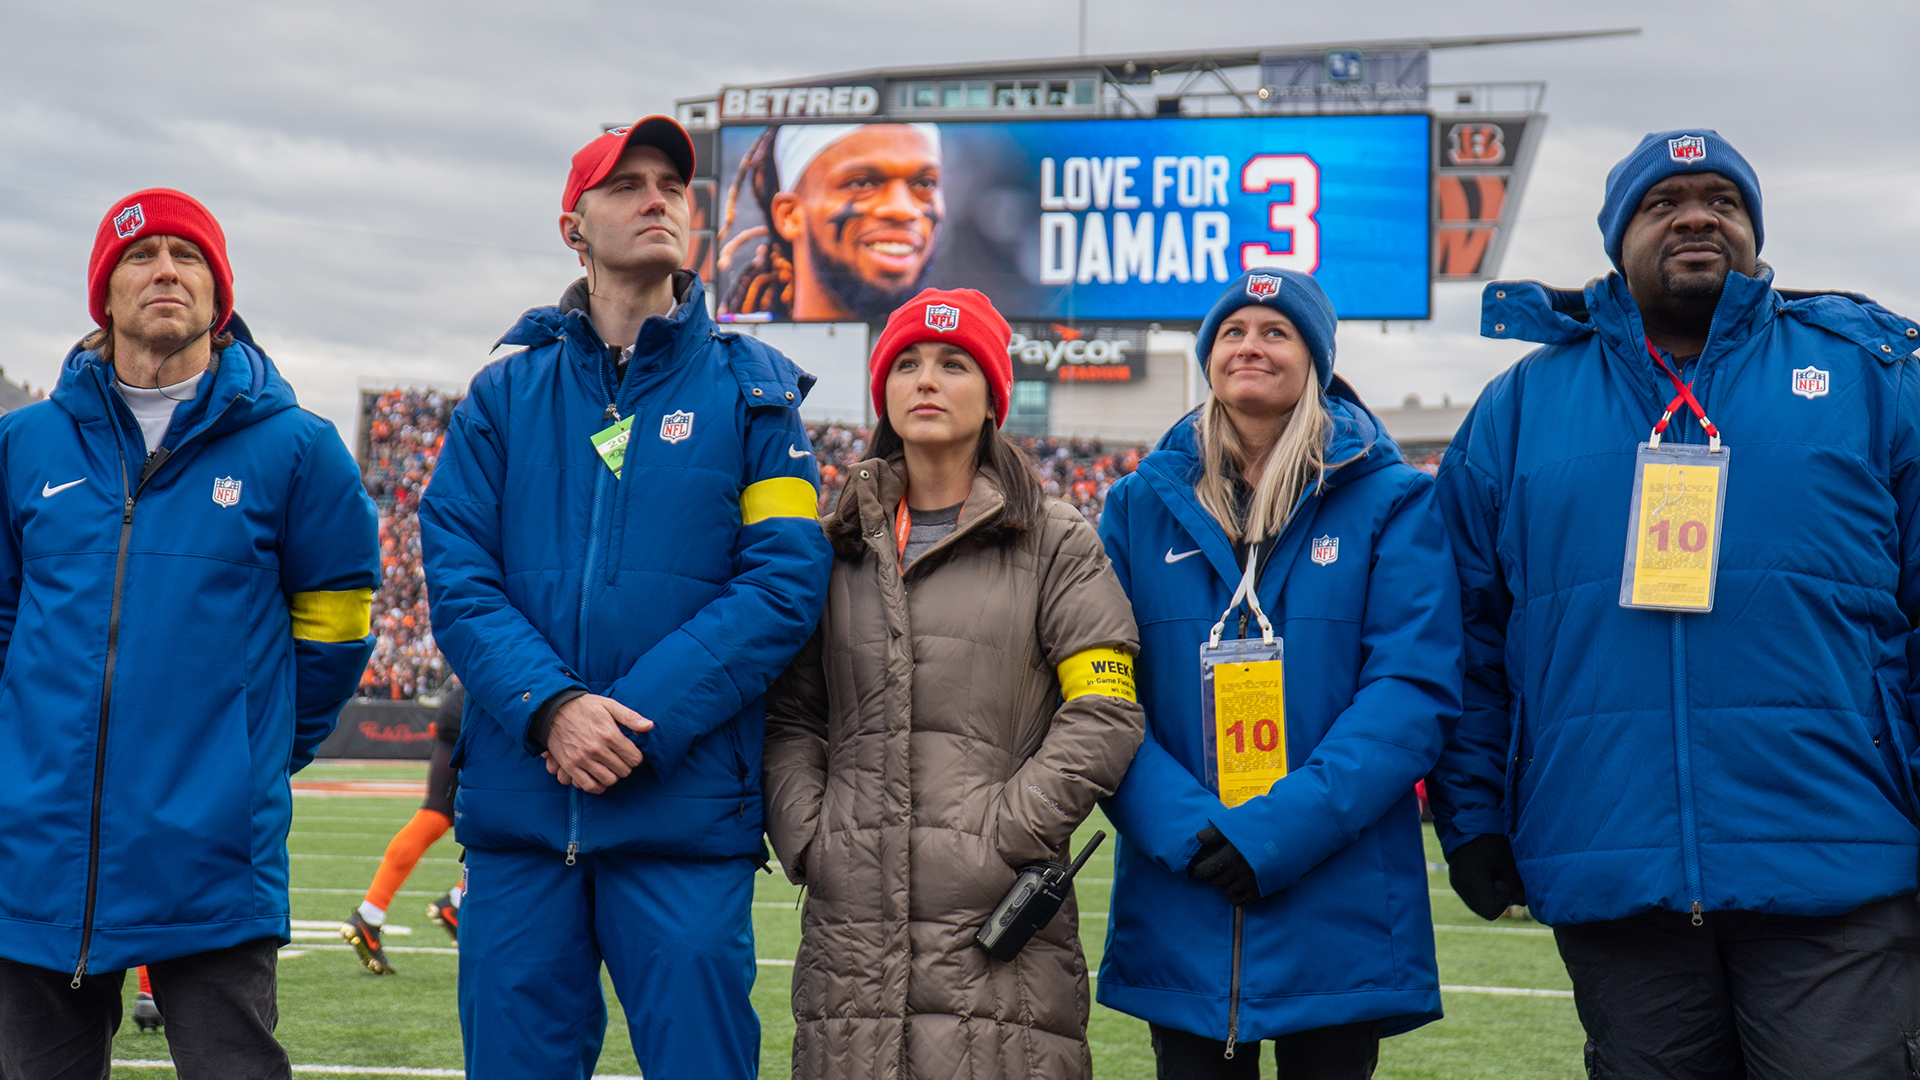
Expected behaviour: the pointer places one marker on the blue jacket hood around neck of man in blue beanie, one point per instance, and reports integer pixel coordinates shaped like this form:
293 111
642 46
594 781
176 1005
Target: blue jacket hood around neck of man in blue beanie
1535 312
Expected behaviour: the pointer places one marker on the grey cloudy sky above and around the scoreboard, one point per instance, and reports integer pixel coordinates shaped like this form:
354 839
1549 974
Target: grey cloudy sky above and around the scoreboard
389 172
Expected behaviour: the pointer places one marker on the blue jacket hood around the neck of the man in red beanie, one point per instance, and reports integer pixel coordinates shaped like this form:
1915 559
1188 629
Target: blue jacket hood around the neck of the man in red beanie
245 389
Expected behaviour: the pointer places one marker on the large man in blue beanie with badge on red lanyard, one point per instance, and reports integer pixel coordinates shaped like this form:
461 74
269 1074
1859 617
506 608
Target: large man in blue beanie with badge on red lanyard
1689 541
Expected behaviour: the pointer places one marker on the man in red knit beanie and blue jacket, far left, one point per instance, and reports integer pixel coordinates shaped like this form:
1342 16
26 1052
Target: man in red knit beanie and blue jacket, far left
185 593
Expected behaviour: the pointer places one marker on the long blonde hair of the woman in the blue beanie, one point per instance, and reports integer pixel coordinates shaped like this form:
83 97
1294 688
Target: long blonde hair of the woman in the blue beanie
1295 466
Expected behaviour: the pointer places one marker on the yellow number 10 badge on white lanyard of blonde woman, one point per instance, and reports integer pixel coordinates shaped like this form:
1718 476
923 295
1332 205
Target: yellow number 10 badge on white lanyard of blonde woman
1243 708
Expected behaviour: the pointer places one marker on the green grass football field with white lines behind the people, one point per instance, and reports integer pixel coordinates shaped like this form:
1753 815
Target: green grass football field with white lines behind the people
1508 1010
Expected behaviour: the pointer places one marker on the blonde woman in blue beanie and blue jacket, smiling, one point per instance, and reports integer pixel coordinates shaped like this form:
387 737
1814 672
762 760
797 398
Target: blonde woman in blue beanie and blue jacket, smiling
1301 658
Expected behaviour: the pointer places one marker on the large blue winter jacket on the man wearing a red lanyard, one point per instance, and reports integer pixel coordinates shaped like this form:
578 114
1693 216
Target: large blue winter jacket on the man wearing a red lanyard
1750 758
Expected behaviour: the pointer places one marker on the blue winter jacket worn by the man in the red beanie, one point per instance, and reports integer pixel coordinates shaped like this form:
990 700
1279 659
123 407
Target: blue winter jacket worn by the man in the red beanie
180 635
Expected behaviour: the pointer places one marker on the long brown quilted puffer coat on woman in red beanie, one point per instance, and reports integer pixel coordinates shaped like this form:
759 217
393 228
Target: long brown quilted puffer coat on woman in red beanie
917 754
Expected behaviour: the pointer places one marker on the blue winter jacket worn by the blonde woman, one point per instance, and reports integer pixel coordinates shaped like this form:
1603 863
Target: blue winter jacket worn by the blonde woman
1374 654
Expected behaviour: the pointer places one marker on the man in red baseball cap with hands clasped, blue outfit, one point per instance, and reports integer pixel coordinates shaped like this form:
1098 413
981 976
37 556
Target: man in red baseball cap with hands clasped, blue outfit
623 551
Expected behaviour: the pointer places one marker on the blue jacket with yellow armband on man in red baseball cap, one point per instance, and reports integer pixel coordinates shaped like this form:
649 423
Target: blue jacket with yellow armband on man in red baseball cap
679 589
